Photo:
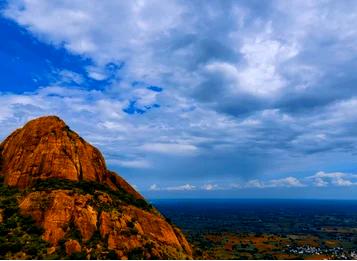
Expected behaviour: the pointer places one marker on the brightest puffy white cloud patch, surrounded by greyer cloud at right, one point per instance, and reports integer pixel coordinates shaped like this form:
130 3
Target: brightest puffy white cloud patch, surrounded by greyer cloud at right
259 75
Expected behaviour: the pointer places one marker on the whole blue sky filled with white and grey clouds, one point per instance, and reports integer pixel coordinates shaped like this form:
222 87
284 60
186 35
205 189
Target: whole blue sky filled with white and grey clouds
194 98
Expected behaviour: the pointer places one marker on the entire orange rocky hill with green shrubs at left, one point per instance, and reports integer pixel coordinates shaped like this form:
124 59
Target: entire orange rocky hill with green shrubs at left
58 200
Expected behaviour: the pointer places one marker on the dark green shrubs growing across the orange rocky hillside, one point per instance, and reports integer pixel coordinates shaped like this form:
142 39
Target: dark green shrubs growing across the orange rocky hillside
20 237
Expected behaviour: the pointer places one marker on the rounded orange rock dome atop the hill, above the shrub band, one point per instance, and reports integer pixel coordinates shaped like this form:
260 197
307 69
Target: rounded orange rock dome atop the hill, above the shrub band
46 148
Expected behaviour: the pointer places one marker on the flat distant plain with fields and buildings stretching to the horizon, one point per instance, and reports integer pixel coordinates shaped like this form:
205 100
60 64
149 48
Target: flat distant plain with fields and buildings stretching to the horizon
266 229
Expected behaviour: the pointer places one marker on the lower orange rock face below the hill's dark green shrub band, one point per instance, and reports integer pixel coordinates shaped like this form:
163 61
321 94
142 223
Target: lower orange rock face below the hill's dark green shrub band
60 212
